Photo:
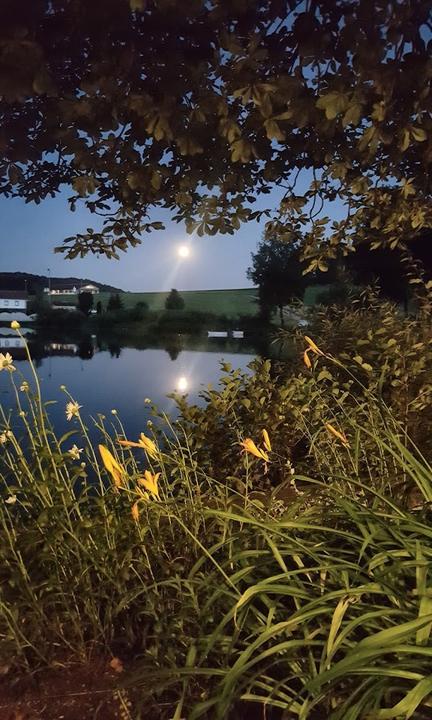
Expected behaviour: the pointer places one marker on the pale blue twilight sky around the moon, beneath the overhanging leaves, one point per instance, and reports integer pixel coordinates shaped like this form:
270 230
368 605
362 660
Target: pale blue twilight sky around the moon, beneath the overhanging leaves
29 234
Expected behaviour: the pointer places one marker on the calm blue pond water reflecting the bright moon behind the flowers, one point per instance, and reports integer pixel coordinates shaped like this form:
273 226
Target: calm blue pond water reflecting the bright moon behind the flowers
112 374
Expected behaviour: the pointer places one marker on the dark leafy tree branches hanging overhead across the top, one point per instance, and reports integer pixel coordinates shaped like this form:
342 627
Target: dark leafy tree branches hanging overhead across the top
201 106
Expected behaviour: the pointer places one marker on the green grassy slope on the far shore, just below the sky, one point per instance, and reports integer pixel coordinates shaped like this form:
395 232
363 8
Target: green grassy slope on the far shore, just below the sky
220 302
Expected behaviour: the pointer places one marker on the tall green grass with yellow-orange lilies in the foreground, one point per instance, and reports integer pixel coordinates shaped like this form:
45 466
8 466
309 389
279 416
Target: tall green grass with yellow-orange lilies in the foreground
221 602
